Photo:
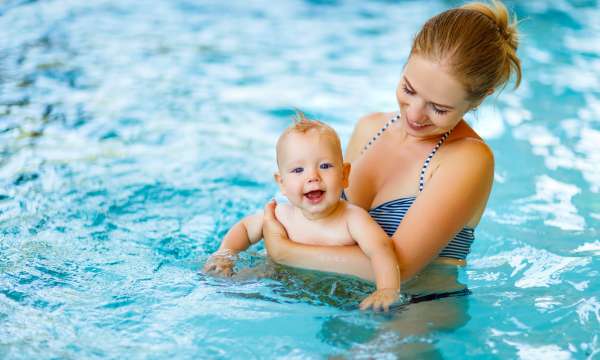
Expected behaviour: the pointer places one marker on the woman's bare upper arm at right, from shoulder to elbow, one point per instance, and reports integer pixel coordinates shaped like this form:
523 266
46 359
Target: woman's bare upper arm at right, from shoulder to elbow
459 187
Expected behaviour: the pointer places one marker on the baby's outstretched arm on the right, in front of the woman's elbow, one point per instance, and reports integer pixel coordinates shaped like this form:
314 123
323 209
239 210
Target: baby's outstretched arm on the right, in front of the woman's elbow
375 243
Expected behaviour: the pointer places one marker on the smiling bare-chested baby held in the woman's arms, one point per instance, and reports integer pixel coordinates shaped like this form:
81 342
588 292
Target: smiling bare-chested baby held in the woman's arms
312 176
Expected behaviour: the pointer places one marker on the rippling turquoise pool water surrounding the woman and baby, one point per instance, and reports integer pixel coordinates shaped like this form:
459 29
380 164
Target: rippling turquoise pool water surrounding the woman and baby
132 135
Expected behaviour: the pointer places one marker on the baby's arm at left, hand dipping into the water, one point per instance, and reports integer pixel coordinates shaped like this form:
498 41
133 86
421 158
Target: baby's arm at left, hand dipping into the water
243 234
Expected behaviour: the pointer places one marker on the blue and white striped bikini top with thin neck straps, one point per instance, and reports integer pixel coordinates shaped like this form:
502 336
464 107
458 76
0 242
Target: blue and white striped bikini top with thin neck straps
389 214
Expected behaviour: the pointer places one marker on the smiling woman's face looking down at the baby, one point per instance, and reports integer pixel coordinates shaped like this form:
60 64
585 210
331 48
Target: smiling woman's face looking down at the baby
431 100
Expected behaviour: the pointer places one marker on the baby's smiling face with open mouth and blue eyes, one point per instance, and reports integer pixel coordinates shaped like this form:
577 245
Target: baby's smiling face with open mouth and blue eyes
311 172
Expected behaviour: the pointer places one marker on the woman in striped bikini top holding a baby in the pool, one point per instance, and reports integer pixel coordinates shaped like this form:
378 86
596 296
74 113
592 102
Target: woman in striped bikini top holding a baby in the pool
423 173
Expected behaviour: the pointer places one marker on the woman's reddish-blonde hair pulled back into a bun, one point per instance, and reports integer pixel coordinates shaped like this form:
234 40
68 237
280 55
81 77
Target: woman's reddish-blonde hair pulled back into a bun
478 44
